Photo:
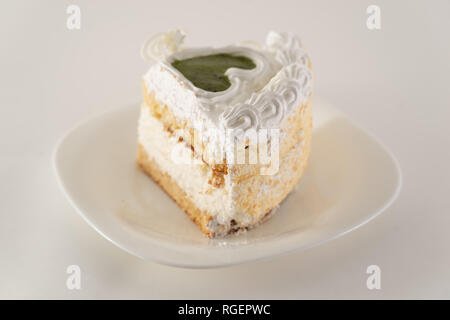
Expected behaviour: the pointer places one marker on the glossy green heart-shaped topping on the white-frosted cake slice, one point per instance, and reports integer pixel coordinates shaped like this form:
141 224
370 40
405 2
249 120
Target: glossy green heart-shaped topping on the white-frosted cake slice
208 72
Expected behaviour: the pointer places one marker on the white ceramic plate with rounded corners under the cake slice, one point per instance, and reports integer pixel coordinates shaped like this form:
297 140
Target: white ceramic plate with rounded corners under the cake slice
350 179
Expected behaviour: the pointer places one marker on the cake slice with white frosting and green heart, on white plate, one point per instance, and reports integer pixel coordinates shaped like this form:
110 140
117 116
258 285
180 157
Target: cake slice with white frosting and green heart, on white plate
225 131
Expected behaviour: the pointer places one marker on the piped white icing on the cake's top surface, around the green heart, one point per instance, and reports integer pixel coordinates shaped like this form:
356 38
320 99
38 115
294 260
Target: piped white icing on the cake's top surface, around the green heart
281 81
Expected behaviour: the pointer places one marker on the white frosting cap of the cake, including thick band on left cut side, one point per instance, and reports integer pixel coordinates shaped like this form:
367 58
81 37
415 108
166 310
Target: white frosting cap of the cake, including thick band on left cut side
258 98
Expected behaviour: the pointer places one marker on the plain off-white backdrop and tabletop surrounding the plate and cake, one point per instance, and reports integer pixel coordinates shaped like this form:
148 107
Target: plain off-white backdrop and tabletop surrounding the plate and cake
394 82
